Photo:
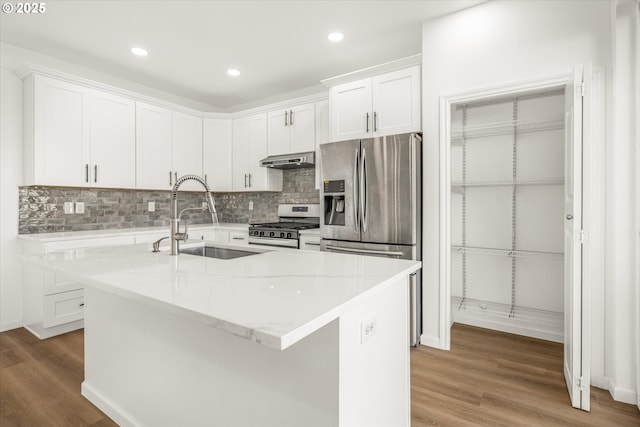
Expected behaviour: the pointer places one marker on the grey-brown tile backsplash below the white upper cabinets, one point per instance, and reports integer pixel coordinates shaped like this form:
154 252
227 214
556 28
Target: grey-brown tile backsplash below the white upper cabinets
41 209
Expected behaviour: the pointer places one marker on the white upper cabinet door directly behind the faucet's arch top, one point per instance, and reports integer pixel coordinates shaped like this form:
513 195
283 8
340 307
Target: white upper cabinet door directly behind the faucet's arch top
187 148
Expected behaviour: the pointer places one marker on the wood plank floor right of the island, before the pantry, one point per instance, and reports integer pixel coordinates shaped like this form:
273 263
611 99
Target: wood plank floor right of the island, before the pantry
491 378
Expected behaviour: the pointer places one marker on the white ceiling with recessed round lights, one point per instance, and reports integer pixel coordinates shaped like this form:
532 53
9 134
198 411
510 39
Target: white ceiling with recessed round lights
278 46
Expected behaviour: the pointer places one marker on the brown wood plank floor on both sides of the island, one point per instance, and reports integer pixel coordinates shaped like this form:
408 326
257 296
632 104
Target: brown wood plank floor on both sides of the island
488 379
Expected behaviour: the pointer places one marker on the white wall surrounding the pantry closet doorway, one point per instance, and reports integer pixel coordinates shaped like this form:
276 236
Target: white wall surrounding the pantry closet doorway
503 41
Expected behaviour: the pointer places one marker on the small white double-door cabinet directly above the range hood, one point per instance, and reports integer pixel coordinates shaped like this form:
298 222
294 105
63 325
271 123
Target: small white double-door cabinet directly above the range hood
291 130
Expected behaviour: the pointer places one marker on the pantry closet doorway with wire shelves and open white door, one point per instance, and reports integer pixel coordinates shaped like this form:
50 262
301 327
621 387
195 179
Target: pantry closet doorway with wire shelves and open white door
511 215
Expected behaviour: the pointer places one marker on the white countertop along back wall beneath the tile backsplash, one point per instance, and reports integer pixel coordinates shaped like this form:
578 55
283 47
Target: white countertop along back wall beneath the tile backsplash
72 235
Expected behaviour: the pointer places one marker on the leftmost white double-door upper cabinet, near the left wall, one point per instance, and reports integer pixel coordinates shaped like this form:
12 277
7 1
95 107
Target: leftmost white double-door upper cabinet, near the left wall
76 136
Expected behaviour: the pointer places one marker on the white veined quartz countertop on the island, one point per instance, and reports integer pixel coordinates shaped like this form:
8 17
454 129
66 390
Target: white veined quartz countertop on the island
275 298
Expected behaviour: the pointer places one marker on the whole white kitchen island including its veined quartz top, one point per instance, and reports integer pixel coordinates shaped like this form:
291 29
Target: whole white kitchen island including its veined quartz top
281 338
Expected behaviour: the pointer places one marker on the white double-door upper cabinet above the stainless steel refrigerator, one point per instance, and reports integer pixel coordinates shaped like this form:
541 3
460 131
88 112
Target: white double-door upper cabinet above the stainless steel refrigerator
382 105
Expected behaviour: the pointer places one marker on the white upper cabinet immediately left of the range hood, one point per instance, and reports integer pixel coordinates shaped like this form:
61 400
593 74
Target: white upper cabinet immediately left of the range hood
249 147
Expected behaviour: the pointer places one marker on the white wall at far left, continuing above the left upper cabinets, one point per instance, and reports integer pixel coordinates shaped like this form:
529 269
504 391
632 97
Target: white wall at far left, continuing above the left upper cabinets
11 161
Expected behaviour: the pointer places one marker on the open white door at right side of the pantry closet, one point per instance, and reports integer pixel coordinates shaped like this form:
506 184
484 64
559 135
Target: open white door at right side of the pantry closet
575 371
